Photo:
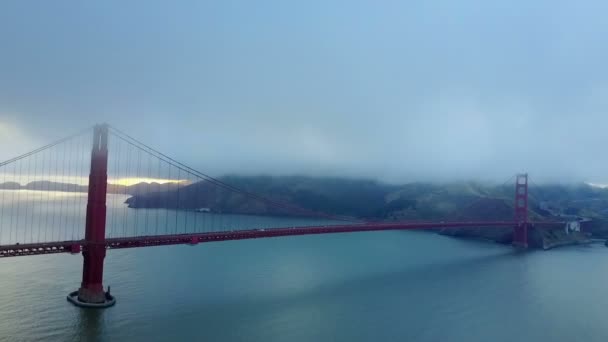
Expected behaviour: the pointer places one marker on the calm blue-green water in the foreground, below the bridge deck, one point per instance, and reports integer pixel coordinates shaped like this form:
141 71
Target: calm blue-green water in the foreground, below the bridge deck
385 286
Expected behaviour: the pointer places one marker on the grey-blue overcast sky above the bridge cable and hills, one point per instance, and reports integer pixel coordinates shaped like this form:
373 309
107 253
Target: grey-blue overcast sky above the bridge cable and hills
394 90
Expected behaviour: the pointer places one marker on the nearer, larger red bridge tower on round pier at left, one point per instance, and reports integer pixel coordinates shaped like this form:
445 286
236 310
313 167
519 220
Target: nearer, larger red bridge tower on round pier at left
91 292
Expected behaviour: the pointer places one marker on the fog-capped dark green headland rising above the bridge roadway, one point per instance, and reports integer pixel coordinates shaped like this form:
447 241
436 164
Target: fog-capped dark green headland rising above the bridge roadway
369 199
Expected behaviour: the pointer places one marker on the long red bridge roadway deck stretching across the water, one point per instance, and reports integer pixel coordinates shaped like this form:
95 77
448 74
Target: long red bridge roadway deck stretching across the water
76 246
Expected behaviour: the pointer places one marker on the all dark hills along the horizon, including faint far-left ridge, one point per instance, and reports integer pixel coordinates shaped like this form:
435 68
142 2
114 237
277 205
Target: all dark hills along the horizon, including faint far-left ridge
371 200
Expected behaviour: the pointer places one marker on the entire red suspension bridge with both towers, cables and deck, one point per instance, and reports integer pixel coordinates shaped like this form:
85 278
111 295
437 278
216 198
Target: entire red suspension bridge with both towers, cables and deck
47 197
